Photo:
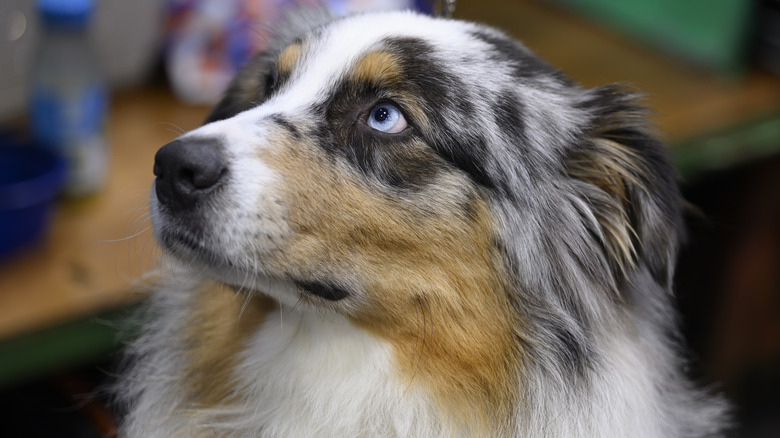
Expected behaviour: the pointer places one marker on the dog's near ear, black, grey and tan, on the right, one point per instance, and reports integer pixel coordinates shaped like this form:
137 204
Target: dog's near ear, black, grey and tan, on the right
624 176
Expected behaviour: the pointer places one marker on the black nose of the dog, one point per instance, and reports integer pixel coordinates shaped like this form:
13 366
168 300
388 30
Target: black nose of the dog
187 171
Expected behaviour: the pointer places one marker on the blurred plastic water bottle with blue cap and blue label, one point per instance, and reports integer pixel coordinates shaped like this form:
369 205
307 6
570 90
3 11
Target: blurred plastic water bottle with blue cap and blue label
69 97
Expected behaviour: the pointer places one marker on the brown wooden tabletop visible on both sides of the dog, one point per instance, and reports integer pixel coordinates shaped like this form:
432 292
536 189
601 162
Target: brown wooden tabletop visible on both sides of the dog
98 248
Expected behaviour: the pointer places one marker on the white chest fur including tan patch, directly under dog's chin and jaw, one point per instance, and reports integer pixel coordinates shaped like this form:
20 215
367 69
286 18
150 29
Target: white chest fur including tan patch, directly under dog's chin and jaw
296 374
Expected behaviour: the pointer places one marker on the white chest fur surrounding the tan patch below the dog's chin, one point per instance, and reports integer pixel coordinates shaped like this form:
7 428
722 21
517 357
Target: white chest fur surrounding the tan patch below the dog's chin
303 374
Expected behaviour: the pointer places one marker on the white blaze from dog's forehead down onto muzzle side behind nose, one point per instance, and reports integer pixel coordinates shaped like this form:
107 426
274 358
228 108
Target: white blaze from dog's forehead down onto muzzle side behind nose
326 59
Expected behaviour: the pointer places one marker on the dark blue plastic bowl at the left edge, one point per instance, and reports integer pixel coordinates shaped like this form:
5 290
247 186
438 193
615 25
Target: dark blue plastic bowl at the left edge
30 180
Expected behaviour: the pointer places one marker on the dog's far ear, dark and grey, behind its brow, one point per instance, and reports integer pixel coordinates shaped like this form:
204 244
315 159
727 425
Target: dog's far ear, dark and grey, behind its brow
250 86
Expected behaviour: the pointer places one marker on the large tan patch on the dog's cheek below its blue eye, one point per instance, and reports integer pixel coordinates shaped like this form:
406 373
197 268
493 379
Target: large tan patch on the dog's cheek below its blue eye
434 283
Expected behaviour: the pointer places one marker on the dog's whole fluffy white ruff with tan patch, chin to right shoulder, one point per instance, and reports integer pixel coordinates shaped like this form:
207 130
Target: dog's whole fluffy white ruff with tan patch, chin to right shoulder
273 371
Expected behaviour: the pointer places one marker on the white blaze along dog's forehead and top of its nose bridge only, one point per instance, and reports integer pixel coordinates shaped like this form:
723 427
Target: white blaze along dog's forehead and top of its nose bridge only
329 56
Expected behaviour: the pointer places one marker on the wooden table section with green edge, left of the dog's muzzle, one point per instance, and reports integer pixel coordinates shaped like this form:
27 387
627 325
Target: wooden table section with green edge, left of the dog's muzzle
97 250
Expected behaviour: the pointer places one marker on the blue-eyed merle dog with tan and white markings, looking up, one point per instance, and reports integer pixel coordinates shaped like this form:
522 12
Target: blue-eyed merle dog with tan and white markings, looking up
394 225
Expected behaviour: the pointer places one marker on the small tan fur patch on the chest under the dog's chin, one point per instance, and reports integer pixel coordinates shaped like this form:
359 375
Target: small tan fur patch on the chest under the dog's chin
221 321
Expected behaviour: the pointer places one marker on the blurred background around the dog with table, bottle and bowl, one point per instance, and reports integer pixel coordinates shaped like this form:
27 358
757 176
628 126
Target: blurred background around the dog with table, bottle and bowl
89 90
